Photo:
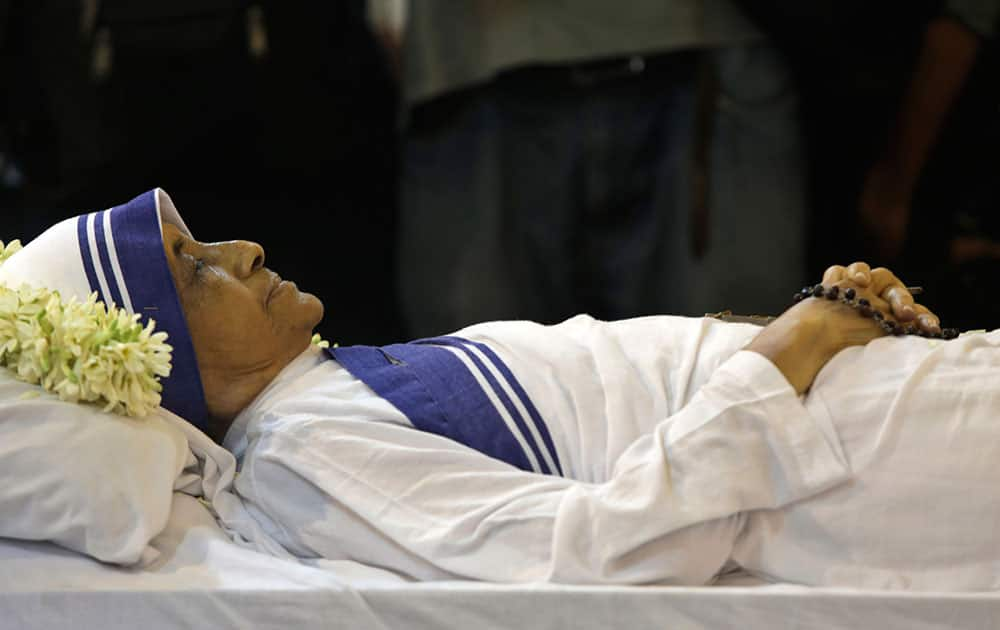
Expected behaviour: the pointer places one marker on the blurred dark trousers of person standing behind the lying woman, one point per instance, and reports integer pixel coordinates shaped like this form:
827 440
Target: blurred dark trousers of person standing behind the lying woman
541 195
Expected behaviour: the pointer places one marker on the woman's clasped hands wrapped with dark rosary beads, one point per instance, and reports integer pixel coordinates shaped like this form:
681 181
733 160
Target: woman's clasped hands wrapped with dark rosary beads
853 306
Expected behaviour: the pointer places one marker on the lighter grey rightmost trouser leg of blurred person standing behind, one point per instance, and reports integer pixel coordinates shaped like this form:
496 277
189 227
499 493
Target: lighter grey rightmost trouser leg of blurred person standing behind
754 258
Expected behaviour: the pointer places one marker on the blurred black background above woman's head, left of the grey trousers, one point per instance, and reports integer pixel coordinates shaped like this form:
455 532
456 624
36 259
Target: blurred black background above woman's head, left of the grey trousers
278 118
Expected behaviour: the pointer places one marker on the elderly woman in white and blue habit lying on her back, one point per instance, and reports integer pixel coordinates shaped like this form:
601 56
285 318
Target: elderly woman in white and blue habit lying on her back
815 450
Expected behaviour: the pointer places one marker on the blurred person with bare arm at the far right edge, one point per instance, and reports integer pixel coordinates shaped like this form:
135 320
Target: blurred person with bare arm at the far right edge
946 149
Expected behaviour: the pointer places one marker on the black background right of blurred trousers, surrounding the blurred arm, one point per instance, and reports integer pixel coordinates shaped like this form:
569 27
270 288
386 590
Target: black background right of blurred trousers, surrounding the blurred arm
852 62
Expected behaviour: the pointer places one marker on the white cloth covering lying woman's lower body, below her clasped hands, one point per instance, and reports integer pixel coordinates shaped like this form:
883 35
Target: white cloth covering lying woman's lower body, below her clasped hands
918 422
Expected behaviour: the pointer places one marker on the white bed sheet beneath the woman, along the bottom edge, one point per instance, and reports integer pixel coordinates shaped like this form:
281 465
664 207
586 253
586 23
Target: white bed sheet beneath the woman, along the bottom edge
203 580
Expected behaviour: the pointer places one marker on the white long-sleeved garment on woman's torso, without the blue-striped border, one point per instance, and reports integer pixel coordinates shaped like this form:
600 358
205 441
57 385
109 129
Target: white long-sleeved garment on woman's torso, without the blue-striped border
668 433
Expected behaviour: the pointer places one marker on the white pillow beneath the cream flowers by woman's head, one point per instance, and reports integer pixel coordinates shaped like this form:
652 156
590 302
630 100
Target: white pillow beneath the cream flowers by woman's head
93 482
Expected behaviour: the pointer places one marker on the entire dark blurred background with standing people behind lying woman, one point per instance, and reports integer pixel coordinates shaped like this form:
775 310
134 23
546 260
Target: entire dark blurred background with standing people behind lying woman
525 158
